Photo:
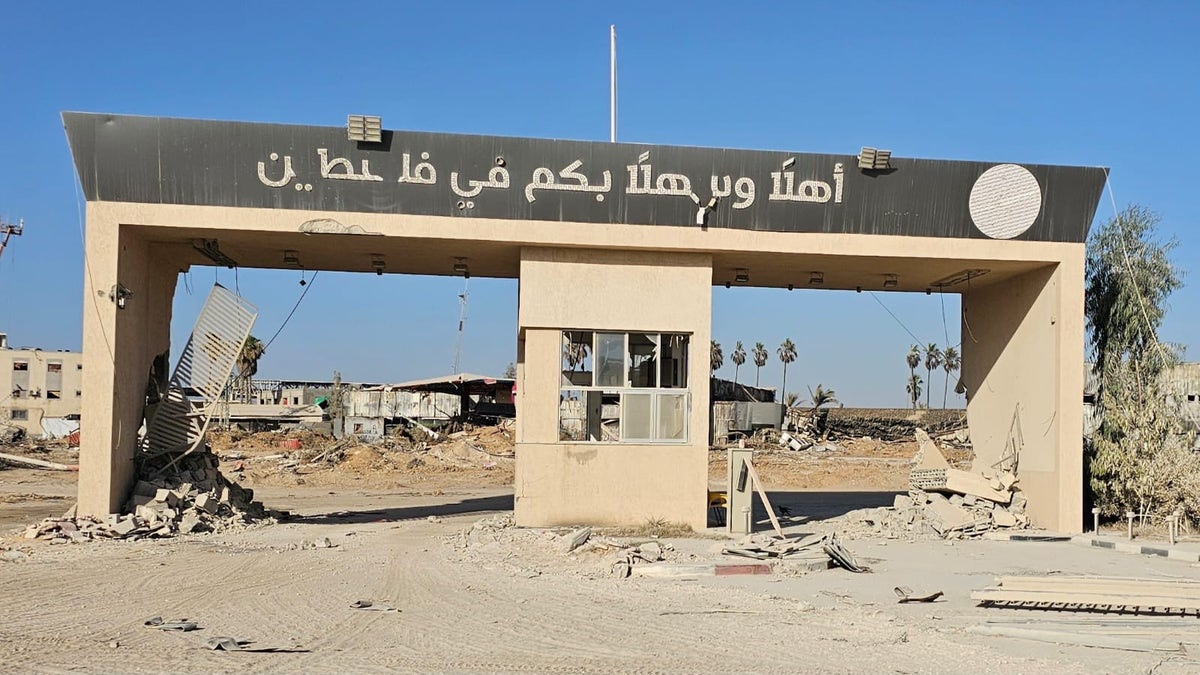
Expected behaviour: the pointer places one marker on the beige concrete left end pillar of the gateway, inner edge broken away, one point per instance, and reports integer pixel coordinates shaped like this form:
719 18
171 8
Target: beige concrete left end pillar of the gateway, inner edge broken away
118 349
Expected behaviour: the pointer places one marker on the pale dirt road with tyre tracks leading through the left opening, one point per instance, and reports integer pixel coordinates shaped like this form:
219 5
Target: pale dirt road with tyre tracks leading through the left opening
507 610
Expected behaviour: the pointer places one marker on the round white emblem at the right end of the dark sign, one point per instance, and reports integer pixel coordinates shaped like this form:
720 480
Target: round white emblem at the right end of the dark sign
1006 201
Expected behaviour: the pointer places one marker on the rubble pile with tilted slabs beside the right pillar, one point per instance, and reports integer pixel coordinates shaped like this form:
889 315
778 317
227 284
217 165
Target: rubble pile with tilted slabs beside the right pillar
945 503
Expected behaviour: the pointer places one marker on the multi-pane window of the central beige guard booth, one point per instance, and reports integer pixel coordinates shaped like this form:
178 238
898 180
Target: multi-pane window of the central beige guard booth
623 389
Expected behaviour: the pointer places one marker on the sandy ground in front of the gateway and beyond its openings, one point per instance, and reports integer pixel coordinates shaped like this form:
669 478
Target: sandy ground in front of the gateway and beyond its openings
511 601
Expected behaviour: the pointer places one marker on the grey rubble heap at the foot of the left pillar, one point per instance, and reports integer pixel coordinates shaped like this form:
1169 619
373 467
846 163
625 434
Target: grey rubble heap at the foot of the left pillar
179 497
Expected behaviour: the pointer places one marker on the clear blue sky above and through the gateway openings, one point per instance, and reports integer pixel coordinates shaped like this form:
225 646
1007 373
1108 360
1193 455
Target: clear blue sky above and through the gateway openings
1075 83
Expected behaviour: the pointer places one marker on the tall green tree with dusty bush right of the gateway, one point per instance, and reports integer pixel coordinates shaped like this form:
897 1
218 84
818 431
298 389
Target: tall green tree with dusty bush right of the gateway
1139 458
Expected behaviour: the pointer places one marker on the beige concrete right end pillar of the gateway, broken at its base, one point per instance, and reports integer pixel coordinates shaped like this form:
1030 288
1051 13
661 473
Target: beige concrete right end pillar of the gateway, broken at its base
1023 355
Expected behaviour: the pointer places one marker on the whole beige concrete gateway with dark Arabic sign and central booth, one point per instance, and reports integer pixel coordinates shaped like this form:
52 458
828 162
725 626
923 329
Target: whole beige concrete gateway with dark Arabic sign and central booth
617 248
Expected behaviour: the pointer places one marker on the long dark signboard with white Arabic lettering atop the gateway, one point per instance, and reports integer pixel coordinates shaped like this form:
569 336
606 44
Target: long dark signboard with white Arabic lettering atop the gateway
223 164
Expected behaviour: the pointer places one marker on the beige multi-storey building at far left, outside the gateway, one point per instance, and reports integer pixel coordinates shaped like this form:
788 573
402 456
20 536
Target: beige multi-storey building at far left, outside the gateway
40 391
